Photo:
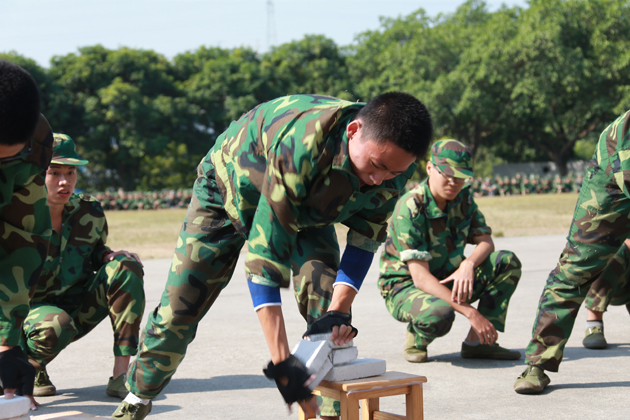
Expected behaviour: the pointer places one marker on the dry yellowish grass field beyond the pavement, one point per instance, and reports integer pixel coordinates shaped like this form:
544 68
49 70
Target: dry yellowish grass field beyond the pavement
153 234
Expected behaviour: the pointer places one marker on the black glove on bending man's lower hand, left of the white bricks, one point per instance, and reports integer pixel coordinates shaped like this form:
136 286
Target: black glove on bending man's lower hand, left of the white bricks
296 373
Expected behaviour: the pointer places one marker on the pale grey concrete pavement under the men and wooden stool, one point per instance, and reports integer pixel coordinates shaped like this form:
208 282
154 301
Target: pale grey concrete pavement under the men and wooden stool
221 377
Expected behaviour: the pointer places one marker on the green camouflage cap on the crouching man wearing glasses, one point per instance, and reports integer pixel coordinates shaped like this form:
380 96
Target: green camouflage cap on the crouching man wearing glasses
452 158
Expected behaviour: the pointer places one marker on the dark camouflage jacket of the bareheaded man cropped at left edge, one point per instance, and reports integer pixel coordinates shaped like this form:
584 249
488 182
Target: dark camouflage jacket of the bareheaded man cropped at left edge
25 231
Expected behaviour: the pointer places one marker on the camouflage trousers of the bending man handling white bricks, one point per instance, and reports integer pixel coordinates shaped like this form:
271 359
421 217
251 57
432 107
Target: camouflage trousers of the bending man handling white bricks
205 257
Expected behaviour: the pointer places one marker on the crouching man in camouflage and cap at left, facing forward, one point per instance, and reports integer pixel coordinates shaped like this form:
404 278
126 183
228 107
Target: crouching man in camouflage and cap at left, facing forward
83 281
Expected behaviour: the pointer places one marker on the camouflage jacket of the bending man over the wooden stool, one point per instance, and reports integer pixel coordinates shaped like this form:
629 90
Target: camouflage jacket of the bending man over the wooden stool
284 166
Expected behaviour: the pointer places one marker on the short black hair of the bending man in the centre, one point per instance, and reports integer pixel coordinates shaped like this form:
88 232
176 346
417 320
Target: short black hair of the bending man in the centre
400 118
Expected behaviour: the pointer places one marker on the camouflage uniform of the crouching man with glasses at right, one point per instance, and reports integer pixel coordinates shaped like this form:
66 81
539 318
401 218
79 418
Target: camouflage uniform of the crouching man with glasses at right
419 230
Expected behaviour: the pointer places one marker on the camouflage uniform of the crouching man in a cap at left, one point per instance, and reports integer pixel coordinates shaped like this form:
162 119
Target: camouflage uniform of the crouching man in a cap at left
77 290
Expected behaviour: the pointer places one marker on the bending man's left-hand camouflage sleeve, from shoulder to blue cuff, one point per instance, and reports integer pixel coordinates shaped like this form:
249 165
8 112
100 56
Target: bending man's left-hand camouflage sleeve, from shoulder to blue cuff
290 168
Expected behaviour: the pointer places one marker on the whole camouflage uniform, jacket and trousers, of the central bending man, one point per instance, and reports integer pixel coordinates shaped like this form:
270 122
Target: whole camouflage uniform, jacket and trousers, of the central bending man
279 177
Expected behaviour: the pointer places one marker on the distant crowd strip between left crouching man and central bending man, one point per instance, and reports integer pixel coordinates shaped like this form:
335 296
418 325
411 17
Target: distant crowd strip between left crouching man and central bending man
144 200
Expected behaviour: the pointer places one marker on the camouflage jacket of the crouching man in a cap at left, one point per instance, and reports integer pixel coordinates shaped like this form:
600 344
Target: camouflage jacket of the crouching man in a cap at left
74 255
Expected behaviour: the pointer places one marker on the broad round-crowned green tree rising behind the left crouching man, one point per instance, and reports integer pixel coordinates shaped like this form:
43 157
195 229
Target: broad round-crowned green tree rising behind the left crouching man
129 108
